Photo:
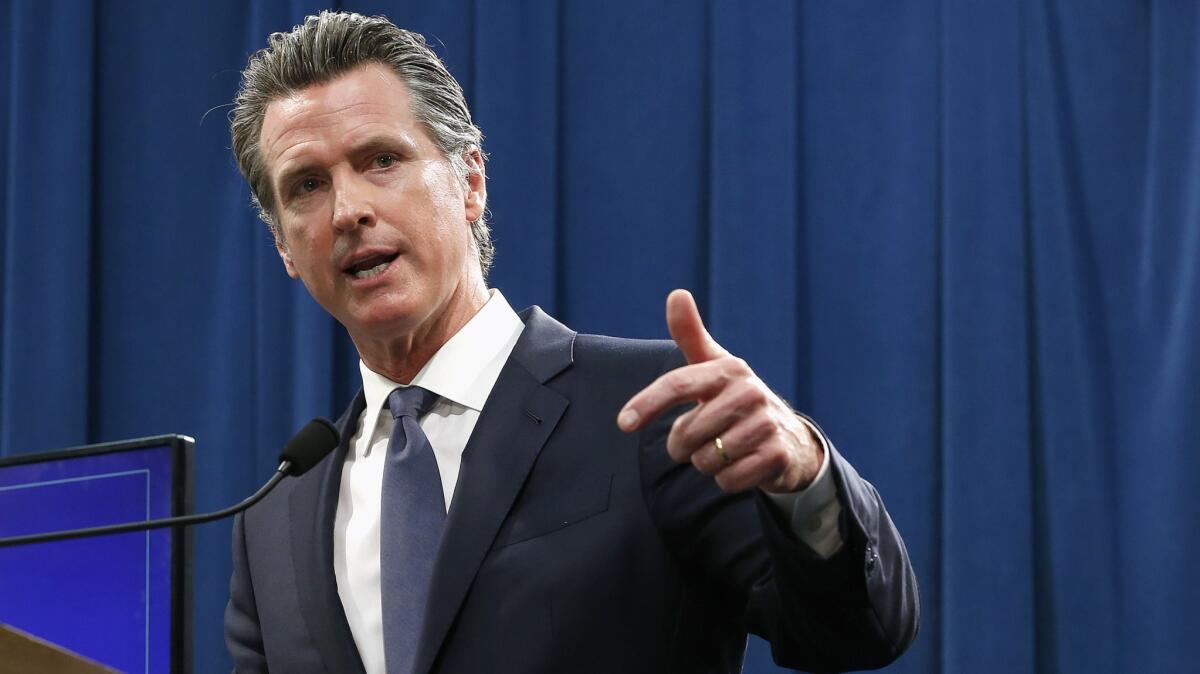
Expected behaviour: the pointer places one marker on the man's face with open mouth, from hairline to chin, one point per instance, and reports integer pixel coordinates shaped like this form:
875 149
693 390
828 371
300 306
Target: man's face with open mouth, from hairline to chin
374 219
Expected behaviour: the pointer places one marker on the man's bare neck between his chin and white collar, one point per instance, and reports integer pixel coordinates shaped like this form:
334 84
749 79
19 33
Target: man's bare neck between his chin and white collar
400 358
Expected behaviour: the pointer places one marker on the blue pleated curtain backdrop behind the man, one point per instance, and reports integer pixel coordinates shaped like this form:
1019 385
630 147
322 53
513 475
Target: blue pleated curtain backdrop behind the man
962 234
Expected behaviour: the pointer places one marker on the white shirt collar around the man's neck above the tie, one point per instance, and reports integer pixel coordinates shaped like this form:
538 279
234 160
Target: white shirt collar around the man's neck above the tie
466 368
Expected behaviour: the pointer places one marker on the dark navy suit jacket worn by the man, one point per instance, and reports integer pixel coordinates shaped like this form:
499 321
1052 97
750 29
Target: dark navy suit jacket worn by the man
574 547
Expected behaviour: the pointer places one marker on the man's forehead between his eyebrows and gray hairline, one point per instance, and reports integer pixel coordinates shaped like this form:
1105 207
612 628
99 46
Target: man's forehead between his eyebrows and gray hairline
364 101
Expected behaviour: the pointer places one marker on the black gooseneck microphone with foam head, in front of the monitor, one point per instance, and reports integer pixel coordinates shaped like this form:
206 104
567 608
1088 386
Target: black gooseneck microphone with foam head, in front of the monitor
302 453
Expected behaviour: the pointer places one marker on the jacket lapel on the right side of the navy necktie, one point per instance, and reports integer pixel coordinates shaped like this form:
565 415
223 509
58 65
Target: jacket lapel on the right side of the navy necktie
518 419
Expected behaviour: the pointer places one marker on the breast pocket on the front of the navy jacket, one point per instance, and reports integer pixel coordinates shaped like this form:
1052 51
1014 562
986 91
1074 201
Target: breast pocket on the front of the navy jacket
544 511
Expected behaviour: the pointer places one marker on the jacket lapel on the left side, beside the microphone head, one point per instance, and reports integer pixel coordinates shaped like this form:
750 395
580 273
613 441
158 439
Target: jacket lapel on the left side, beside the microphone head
314 507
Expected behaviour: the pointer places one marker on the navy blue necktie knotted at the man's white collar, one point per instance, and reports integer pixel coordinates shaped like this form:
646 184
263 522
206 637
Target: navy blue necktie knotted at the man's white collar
410 527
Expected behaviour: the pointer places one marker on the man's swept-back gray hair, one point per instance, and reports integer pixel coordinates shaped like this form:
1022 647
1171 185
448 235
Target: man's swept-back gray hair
334 44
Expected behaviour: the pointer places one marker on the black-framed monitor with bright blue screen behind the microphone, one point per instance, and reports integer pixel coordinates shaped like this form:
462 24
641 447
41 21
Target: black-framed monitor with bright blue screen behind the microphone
118 599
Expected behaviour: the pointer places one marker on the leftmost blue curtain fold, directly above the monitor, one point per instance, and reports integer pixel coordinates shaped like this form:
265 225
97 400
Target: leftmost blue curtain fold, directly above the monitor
49 182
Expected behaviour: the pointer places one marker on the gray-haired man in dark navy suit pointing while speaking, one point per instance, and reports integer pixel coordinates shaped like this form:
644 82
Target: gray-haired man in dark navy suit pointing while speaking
511 496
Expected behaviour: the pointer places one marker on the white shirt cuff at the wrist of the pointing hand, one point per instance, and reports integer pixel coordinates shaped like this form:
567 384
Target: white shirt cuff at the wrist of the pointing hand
814 511
